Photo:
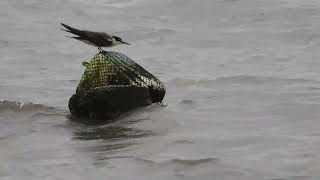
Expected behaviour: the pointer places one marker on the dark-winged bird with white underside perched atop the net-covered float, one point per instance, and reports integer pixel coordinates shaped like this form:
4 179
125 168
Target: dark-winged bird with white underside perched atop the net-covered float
98 39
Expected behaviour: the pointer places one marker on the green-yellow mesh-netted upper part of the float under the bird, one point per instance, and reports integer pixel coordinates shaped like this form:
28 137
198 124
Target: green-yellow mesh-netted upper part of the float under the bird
111 69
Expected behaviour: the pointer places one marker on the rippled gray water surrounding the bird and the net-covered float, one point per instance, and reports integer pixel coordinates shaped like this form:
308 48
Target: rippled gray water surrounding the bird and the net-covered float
243 90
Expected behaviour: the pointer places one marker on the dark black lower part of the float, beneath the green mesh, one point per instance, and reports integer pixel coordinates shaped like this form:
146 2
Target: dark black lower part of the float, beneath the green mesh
109 102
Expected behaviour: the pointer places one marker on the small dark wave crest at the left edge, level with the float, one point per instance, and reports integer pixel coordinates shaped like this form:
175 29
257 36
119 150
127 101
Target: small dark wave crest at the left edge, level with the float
20 106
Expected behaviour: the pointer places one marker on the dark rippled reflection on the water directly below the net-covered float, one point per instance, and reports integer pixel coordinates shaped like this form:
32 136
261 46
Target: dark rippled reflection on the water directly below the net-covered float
104 142
